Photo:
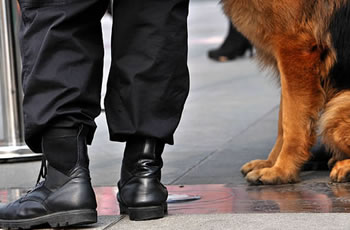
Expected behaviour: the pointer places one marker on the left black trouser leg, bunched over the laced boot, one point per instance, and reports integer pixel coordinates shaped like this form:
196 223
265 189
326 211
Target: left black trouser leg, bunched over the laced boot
62 52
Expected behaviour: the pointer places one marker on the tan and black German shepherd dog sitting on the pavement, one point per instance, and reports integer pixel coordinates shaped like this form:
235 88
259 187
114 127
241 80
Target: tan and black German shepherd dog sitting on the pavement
307 43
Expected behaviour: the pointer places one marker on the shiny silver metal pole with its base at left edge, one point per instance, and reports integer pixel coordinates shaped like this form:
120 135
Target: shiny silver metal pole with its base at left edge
12 146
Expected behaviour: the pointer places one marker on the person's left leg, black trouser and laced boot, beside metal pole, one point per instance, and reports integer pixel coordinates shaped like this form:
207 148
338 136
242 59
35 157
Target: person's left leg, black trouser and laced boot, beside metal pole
62 54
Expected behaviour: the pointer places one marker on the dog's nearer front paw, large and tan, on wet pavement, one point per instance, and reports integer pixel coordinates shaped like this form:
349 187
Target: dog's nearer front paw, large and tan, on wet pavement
271 176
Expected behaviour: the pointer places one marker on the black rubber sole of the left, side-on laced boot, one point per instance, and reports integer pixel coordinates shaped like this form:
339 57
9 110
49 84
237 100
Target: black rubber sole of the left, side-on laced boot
55 220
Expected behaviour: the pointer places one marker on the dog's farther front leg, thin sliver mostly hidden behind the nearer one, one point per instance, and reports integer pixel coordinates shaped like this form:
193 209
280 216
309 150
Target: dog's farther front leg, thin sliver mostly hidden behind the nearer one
259 164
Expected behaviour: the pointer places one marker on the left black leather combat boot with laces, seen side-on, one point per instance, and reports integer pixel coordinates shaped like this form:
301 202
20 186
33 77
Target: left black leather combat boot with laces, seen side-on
66 196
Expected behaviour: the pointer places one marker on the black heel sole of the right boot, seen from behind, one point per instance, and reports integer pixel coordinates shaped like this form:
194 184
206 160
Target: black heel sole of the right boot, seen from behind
144 213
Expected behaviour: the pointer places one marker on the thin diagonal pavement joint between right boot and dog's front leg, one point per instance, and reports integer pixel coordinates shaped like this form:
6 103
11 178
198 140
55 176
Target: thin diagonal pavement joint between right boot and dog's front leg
200 162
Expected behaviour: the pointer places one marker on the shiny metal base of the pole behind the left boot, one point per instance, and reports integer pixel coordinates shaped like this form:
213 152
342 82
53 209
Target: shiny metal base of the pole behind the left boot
10 154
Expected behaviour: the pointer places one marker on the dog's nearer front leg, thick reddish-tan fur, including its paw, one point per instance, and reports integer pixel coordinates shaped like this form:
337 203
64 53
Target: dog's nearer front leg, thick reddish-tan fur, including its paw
299 64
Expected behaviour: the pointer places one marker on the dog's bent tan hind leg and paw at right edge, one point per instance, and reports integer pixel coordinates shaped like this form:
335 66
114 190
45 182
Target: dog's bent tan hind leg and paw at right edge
335 131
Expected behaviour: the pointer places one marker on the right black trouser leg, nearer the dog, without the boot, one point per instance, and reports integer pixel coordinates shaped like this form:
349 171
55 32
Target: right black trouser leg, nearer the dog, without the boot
149 80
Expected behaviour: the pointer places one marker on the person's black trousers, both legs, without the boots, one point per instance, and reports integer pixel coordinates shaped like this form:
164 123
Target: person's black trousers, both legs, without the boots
62 51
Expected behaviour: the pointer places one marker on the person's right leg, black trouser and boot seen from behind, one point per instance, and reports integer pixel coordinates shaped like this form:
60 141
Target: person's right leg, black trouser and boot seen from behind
147 89
